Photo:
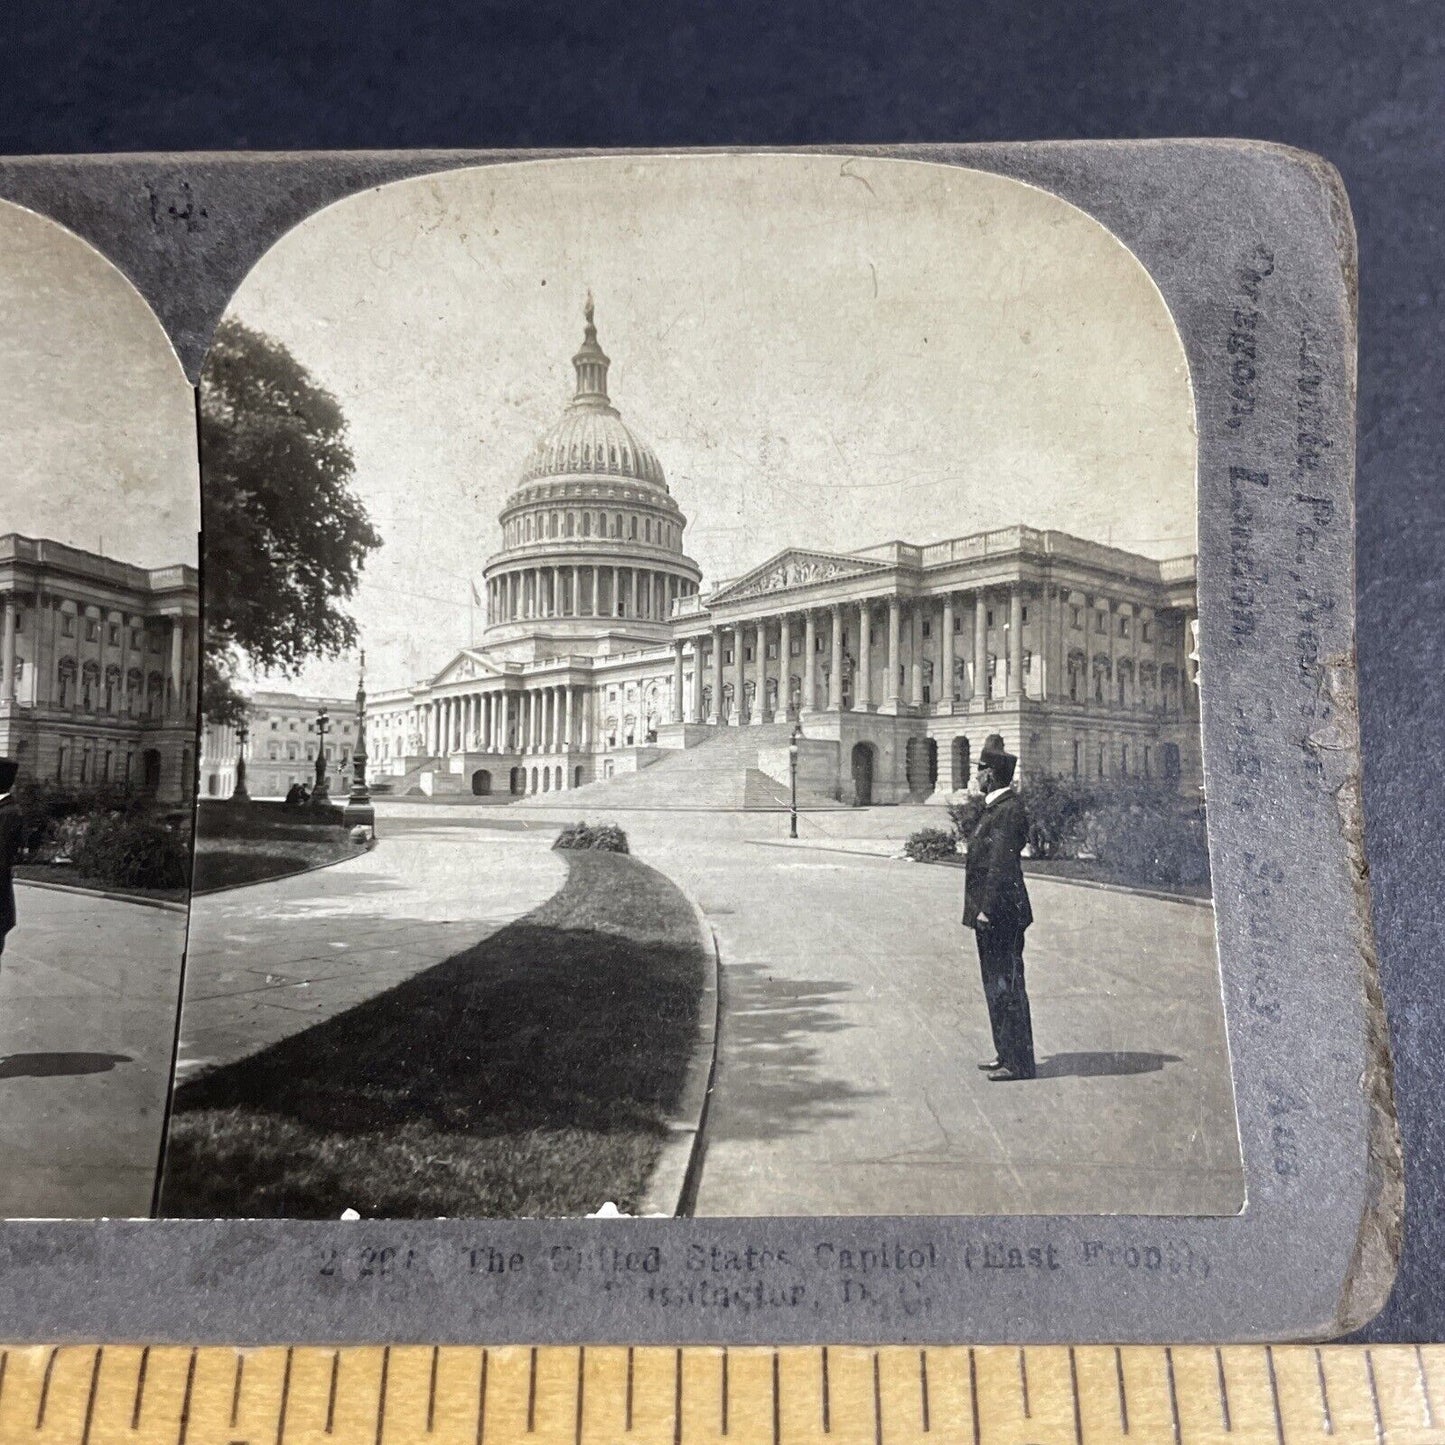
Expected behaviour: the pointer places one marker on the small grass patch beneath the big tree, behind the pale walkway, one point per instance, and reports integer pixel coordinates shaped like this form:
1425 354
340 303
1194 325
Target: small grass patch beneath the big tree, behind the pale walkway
252 843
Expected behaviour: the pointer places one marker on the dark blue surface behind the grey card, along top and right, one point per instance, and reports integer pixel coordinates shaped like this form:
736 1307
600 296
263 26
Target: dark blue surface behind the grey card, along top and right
1360 83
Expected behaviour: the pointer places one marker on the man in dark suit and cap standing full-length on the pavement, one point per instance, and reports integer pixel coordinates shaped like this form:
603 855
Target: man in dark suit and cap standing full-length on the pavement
996 908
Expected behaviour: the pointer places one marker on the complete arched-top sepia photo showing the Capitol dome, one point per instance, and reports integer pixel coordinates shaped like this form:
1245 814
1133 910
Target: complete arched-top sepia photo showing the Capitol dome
700 710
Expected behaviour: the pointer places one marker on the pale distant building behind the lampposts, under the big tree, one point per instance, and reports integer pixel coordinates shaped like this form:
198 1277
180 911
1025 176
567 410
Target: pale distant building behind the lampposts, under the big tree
281 746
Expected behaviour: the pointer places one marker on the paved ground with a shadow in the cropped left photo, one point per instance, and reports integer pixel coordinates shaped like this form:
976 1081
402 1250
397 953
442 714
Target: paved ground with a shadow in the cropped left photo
87 1024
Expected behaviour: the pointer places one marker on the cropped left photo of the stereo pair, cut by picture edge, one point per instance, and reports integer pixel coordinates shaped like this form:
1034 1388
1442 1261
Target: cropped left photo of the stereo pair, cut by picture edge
99 696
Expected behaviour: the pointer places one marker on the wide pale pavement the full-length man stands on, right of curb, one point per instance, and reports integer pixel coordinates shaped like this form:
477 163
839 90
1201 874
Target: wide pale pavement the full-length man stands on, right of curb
853 1019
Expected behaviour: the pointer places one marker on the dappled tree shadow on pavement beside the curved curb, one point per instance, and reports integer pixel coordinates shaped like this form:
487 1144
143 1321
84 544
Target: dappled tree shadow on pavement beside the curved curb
771 1057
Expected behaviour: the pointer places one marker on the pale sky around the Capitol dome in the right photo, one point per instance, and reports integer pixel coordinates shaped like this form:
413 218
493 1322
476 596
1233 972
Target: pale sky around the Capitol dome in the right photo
824 352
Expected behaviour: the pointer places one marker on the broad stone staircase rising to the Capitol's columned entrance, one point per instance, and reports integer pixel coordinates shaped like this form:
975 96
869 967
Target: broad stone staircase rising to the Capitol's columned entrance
717 775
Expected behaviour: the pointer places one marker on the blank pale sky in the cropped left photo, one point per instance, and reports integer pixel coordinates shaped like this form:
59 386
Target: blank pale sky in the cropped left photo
98 420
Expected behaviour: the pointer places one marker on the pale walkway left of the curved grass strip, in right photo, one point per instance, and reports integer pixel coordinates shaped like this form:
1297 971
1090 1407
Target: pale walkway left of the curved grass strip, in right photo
271 960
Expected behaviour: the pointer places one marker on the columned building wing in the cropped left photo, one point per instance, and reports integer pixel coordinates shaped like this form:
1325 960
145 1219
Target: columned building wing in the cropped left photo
99 668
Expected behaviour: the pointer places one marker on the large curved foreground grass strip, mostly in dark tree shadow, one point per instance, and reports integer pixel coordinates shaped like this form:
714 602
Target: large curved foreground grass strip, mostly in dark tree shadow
528 1076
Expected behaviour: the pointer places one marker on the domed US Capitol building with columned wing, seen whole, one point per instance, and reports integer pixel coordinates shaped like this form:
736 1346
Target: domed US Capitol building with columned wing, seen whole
605 657
